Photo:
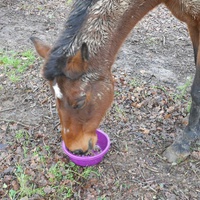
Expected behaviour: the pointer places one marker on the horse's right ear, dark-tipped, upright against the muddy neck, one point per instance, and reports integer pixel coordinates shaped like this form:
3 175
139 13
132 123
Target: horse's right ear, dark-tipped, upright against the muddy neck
78 63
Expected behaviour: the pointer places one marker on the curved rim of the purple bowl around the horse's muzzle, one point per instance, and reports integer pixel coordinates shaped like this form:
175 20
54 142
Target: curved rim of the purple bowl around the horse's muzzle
88 158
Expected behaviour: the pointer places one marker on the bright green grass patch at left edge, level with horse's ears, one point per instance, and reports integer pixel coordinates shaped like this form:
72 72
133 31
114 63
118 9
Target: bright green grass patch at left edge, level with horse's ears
14 64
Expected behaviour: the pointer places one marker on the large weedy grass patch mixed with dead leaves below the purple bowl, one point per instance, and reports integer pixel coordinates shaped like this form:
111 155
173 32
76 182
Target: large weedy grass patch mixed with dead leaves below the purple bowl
61 177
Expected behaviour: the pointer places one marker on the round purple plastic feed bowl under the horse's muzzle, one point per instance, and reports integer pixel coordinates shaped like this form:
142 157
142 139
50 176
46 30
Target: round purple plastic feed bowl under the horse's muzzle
103 142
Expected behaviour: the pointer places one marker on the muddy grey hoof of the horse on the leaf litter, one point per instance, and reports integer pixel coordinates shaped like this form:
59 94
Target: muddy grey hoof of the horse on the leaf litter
177 152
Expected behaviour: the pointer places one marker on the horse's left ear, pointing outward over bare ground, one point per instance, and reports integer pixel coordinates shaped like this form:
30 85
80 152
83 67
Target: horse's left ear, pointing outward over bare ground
41 48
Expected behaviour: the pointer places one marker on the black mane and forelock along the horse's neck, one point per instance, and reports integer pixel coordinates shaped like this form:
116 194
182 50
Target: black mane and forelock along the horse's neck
63 47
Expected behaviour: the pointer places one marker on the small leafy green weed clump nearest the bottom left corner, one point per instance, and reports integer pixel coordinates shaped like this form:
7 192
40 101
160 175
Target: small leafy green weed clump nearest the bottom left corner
27 188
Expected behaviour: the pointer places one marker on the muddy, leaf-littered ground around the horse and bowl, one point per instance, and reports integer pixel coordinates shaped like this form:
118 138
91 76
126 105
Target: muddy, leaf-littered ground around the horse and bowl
153 73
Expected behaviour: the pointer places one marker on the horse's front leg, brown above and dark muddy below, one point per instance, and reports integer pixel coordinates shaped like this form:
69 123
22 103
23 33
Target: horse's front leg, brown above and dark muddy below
181 147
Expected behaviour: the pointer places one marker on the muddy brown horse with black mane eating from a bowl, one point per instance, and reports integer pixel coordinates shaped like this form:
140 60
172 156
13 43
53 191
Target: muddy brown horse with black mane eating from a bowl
78 66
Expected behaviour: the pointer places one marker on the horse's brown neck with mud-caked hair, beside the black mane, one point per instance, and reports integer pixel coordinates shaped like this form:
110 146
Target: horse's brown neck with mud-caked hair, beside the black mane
111 33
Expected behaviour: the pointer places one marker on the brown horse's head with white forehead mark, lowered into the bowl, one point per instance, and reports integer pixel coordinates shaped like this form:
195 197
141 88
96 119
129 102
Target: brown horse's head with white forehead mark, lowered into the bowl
83 94
